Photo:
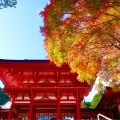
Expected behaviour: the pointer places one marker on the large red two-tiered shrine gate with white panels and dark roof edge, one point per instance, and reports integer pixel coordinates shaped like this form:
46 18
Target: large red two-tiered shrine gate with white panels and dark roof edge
40 89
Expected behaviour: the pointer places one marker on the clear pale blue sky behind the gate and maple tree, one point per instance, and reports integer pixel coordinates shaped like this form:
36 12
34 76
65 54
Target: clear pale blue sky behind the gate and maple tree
19 32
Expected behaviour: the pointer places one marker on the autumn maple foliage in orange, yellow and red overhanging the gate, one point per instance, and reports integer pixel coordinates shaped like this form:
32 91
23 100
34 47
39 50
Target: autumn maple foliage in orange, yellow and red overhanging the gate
85 34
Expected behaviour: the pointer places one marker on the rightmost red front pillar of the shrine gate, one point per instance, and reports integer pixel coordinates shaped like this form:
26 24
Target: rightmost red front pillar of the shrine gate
78 104
